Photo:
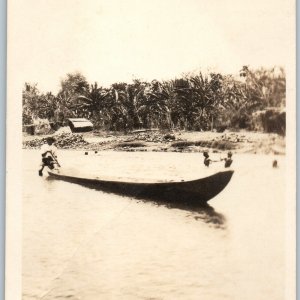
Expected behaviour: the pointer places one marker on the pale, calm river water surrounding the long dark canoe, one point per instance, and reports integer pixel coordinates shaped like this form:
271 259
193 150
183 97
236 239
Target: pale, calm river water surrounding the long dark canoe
79 243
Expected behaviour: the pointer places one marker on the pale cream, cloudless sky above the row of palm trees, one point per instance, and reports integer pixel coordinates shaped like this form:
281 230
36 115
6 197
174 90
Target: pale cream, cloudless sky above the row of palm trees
117 41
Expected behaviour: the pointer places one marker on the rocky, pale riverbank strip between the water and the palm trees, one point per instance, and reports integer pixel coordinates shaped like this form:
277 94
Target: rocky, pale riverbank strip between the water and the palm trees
158 141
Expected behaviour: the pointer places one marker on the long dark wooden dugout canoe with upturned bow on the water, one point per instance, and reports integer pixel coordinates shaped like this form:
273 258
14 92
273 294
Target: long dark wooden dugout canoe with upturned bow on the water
199 190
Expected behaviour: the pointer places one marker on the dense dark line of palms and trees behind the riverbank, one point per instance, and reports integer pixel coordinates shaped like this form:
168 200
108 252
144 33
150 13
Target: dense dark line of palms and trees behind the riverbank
191 102
